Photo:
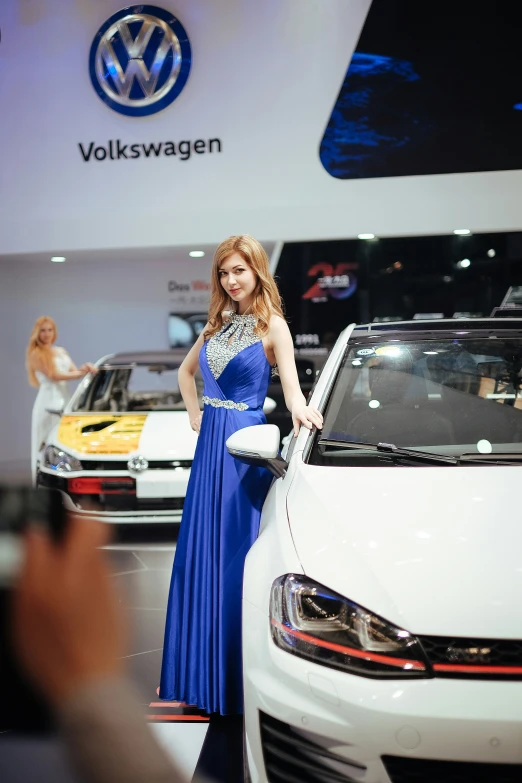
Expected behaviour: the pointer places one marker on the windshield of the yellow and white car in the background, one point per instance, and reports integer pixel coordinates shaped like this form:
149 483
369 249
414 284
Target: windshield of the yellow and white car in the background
139 388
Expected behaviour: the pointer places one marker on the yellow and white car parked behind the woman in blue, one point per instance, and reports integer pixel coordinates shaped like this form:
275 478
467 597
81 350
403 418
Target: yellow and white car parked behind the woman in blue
123 447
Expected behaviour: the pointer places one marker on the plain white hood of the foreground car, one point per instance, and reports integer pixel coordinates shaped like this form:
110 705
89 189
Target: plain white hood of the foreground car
436 550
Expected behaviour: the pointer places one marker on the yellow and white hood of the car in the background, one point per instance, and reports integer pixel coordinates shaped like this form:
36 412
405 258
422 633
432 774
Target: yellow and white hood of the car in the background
161 435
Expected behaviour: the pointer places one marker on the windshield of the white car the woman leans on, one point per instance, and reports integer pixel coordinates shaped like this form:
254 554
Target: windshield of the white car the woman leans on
444 396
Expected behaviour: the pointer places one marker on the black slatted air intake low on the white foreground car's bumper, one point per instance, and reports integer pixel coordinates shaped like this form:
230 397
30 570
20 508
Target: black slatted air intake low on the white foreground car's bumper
290 756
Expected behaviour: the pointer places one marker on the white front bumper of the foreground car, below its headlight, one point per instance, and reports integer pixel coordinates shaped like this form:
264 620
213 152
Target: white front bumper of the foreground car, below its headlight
369 730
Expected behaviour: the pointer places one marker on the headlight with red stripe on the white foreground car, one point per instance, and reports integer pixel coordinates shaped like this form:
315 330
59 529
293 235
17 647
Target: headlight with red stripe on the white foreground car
312 622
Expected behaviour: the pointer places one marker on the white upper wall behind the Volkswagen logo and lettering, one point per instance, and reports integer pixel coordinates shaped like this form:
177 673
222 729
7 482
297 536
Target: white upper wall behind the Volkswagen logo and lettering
264 79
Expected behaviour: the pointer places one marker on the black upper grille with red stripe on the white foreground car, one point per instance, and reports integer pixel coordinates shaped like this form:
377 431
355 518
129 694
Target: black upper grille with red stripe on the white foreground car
451 656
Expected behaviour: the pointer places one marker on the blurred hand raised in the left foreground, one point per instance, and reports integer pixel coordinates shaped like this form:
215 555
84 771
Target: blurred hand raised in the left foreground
67 626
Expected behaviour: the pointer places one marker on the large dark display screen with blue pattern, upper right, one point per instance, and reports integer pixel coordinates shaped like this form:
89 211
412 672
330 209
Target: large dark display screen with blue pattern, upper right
432 88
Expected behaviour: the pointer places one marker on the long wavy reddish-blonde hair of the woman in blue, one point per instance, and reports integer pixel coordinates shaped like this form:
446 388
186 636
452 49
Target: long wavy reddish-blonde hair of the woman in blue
266 297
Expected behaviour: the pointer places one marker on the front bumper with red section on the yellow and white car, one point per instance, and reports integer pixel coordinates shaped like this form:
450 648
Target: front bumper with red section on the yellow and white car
120 504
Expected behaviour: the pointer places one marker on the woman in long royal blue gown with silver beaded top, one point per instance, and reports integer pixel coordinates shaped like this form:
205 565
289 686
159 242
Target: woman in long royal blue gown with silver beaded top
245 335
